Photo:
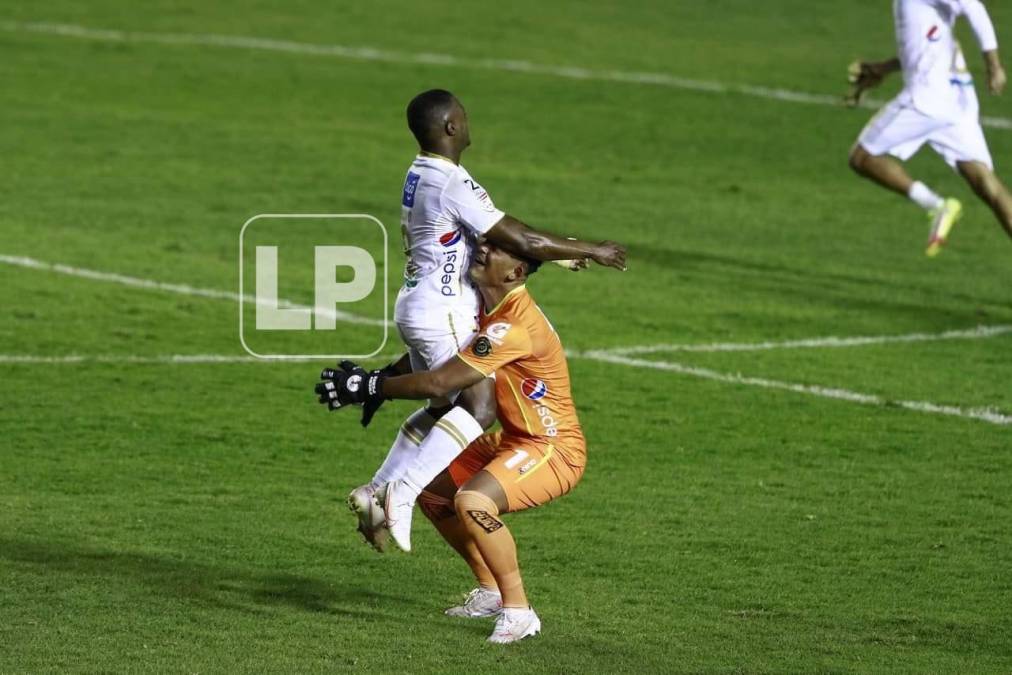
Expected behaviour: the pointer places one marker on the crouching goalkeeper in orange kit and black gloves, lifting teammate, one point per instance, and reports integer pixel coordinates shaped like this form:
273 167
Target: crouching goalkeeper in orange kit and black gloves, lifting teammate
539 455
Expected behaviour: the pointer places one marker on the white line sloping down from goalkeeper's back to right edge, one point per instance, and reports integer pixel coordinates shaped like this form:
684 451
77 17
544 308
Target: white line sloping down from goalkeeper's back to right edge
982 414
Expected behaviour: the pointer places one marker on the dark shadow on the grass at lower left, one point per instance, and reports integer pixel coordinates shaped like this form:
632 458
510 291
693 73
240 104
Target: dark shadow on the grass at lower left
240 590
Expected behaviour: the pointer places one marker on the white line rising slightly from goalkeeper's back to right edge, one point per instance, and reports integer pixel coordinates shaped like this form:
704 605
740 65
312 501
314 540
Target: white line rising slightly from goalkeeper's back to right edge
813 344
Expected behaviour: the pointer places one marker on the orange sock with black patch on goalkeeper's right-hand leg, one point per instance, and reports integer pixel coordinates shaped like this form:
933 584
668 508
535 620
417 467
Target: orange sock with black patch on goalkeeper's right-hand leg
480 518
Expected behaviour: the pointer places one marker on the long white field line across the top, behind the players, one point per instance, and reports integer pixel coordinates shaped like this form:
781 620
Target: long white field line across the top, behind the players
446 60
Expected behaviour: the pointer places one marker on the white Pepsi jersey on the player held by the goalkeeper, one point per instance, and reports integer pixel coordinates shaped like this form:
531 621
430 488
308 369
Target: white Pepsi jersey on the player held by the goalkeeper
444 210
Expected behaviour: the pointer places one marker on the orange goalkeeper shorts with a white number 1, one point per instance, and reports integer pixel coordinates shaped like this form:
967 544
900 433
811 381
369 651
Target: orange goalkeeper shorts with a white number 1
531 471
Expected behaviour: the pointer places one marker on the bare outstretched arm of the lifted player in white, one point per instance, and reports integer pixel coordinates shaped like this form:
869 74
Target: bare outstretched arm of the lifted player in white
520 239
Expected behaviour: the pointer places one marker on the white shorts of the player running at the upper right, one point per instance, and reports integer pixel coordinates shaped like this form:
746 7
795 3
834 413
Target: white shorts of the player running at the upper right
901 130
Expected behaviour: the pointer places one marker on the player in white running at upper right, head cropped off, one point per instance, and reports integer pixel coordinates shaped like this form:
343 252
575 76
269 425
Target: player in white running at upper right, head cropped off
938 106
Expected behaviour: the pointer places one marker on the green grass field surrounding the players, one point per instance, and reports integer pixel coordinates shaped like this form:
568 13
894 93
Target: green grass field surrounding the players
160 517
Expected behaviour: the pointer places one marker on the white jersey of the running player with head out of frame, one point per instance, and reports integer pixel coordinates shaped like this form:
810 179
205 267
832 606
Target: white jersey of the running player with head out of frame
937 81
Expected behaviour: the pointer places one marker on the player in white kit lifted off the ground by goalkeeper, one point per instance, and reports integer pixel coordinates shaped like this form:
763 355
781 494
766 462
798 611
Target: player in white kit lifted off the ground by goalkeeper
445 212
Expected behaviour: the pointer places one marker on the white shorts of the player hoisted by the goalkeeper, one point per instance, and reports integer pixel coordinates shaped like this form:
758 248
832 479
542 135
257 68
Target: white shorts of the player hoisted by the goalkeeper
433 343
